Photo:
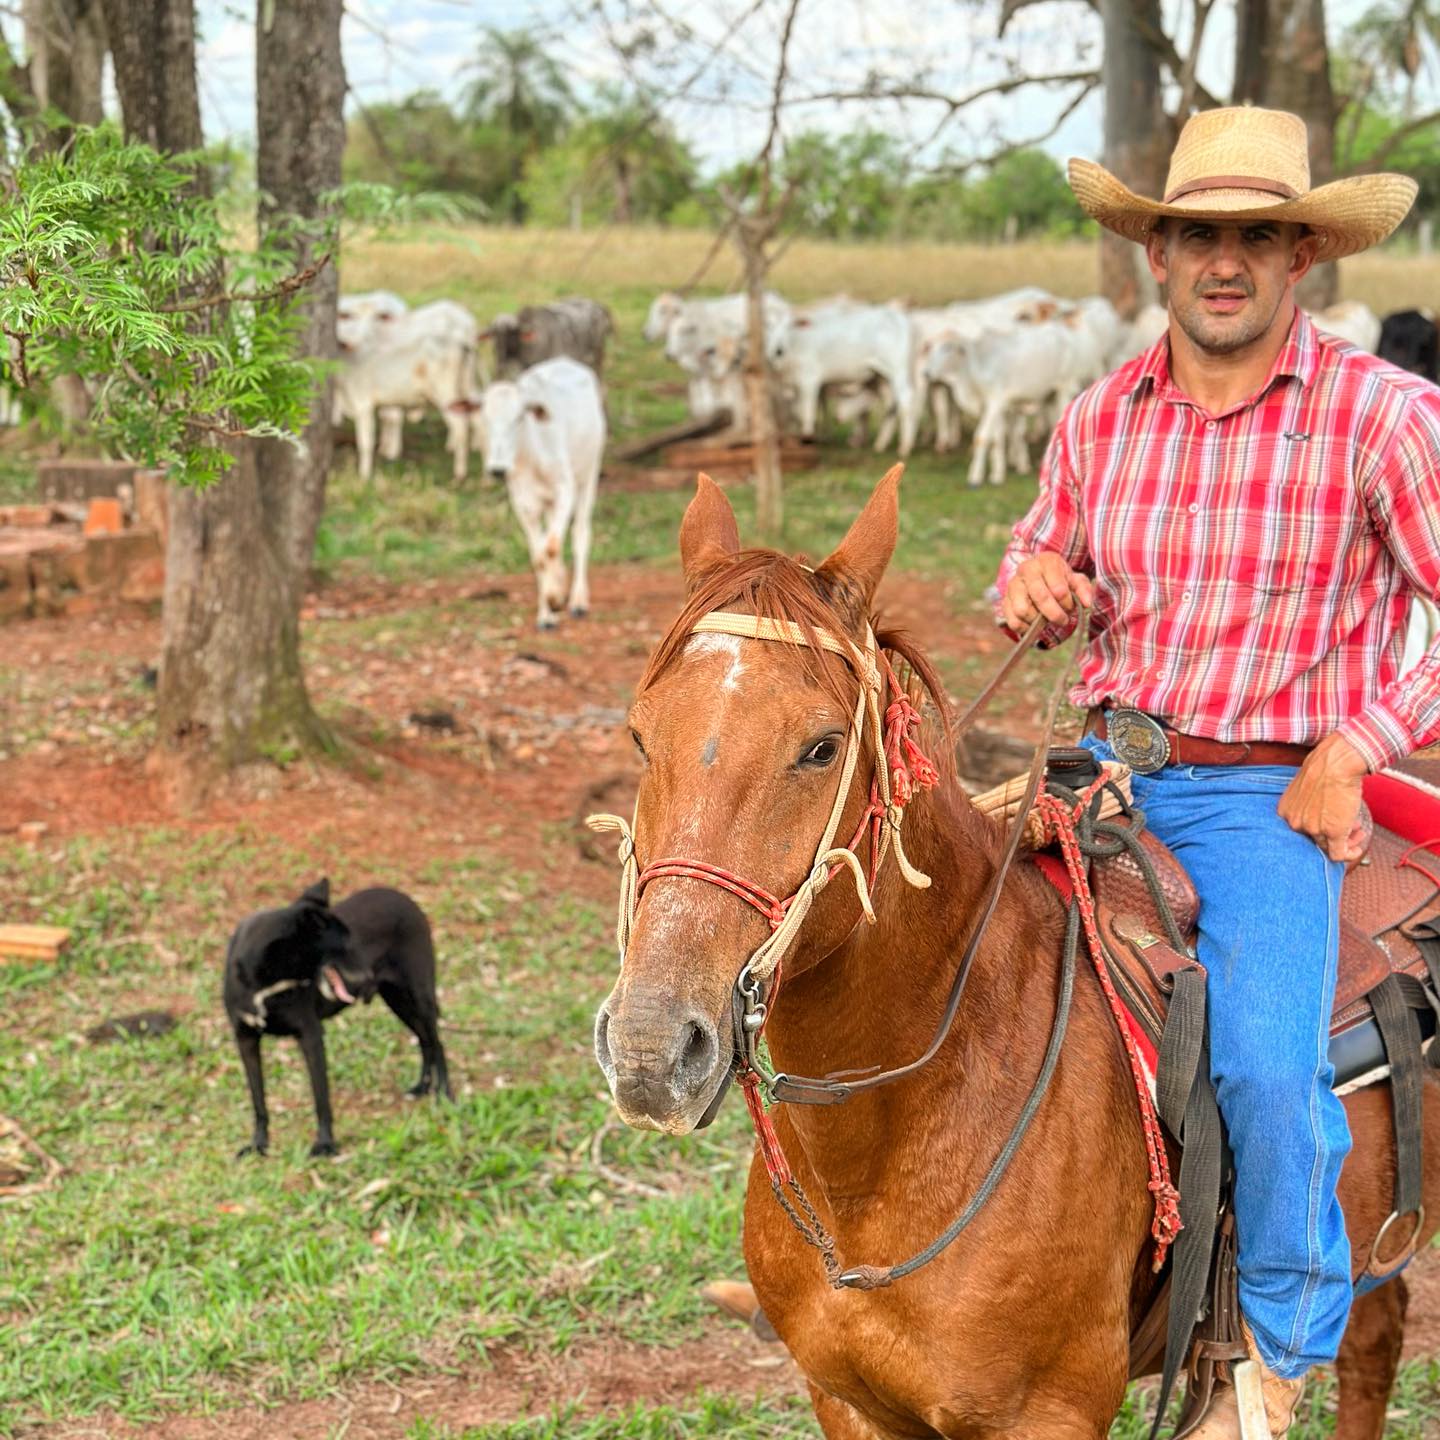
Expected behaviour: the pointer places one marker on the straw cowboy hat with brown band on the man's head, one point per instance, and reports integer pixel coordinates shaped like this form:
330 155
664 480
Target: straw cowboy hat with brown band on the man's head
1251 165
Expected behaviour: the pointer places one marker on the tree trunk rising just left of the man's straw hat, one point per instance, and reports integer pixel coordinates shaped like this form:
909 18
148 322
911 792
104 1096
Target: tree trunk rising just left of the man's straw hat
1138 138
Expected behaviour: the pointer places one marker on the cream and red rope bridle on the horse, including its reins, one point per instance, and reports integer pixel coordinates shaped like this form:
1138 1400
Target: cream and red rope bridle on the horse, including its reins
901 771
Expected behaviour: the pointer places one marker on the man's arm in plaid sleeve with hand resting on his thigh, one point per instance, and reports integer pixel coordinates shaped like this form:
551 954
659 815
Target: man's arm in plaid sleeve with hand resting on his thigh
1403 495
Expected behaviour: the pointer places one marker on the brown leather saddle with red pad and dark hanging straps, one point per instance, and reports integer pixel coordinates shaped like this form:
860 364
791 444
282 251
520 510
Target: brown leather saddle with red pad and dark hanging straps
1386 1010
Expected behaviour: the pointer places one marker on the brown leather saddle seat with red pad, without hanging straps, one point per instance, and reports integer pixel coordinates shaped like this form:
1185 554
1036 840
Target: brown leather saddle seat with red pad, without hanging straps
1395 888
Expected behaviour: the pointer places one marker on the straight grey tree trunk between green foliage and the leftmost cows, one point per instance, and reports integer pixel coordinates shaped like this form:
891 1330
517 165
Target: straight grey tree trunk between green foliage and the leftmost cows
300 102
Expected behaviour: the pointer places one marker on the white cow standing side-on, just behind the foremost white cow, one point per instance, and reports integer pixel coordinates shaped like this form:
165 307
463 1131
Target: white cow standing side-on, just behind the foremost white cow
405 377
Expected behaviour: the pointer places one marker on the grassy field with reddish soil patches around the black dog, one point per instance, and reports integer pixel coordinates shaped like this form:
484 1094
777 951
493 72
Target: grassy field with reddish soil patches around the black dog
163 1278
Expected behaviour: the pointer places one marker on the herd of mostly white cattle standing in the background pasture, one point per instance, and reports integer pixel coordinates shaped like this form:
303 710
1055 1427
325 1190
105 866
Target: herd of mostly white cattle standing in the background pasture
535 408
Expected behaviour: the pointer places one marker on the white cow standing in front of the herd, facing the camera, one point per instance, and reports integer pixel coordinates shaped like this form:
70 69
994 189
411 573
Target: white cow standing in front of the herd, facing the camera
544 434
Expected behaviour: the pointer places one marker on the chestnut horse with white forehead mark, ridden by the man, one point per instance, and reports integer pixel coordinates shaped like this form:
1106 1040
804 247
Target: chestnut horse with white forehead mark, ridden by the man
1022 1327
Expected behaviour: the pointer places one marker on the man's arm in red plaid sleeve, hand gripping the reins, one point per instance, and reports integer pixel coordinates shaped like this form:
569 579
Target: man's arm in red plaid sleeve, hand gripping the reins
1045 567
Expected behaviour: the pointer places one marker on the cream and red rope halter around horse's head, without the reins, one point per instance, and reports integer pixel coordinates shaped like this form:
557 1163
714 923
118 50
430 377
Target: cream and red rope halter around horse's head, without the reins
901 771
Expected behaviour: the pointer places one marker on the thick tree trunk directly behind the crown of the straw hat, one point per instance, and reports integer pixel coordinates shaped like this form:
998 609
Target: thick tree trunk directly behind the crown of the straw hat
1282 61
